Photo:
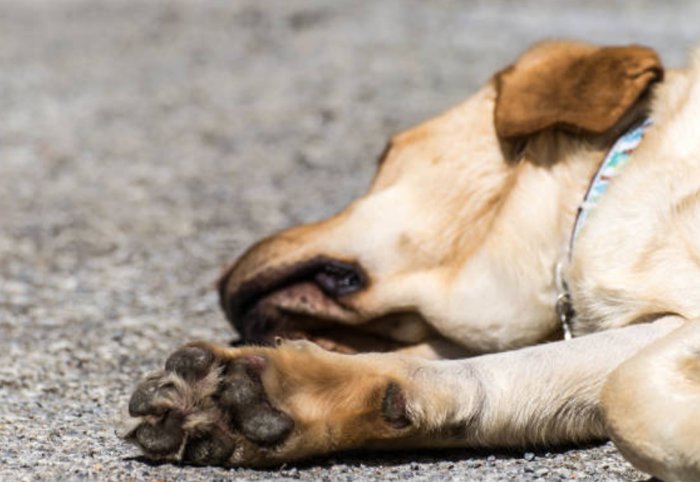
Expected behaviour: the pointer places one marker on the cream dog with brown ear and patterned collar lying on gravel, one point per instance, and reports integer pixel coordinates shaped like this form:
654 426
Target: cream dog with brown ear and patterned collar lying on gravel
523 271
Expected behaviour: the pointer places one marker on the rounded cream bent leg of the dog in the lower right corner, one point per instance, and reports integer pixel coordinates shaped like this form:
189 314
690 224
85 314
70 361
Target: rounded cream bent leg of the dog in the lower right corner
652 406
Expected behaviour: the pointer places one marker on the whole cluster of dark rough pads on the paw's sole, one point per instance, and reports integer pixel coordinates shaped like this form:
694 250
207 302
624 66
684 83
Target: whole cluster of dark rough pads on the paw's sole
203 408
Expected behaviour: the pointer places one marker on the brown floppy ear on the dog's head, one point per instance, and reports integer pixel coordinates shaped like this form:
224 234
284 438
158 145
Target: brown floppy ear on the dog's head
572 86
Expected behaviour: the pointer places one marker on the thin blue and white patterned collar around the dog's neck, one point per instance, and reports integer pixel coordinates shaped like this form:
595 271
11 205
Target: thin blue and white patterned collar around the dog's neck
618 156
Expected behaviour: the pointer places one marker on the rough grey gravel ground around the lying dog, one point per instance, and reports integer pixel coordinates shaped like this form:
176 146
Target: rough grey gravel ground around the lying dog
144 144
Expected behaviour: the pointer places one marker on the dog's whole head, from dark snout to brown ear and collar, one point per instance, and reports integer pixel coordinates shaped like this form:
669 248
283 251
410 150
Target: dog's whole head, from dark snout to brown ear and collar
459 232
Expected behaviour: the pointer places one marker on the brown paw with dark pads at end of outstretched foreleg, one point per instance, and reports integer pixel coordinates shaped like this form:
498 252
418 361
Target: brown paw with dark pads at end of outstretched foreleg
262 406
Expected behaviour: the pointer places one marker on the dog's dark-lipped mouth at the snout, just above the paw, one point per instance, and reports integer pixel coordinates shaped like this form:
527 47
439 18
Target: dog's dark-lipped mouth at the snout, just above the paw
314 301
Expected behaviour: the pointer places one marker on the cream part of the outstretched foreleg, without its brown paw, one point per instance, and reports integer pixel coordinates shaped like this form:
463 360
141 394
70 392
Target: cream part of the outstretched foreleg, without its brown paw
548 394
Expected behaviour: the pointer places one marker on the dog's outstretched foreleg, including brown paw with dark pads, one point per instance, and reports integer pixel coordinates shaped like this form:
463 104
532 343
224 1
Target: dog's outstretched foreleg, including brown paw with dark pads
261 406
